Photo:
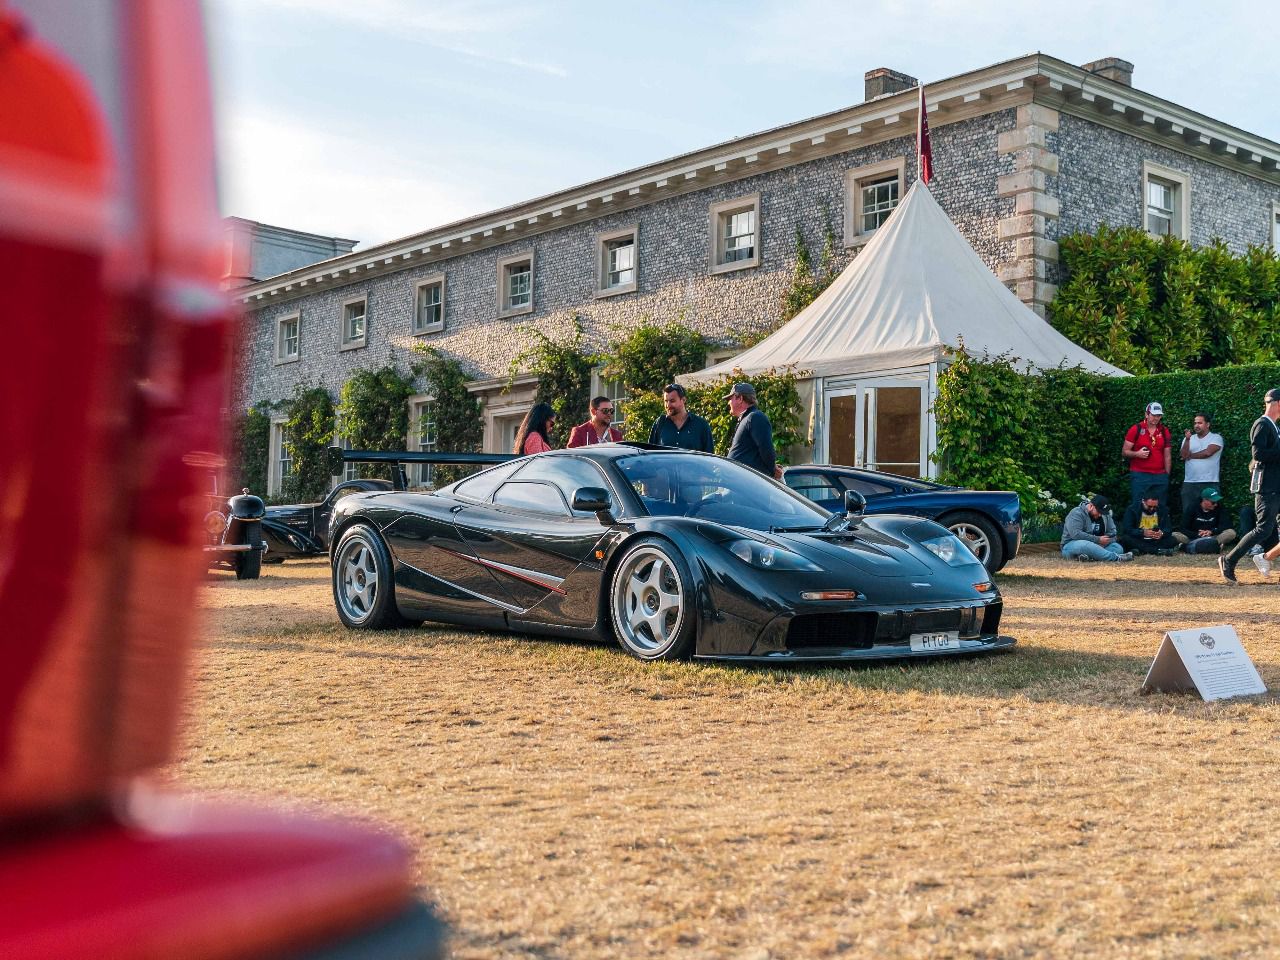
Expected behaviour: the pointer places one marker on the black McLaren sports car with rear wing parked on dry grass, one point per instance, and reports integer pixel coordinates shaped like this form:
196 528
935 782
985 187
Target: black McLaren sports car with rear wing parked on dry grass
673 554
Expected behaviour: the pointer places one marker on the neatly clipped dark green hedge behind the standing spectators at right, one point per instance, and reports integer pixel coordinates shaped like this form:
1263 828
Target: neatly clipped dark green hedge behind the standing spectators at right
1232 396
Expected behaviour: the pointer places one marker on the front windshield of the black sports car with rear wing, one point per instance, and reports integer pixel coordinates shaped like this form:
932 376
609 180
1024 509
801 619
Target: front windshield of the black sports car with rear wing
697 486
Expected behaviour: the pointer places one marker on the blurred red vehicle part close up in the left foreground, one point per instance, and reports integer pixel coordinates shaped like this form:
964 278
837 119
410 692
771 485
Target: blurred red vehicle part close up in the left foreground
115 372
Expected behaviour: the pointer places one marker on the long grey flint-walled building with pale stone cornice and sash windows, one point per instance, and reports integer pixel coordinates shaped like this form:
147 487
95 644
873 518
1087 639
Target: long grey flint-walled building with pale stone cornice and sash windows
1025 153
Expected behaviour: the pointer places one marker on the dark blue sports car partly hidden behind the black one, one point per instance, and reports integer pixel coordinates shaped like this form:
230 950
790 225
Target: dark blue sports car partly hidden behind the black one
990 523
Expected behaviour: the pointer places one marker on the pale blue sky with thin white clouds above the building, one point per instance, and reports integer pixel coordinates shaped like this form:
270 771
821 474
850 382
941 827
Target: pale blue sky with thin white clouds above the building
377 120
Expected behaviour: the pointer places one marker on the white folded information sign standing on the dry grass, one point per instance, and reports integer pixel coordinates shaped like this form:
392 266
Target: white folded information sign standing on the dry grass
1208 660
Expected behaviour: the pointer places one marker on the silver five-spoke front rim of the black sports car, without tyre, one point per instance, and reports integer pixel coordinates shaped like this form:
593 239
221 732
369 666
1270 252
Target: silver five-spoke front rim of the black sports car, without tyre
650 602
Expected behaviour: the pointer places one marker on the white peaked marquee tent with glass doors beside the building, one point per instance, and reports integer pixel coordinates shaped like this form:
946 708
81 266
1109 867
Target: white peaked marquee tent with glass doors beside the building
874 341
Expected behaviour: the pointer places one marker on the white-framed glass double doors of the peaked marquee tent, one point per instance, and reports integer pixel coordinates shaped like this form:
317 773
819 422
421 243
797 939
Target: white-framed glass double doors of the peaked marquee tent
880 424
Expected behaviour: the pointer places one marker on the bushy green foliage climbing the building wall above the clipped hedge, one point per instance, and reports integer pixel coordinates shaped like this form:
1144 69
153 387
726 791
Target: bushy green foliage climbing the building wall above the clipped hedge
1156 304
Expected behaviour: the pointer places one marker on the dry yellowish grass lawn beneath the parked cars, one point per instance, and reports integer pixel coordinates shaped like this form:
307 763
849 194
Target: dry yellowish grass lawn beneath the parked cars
569 802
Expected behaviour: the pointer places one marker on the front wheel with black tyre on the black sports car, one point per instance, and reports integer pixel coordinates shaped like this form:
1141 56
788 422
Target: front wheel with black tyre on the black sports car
652 602
